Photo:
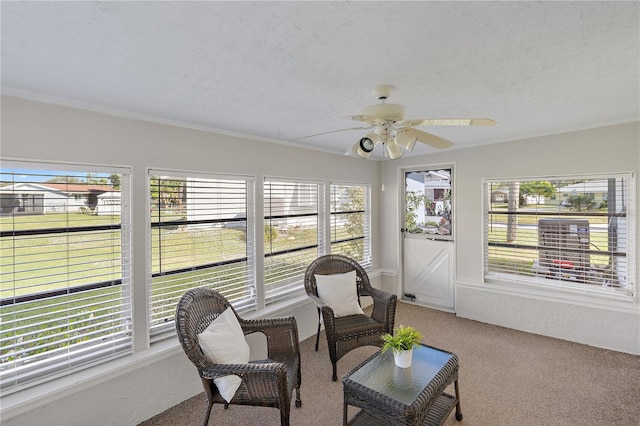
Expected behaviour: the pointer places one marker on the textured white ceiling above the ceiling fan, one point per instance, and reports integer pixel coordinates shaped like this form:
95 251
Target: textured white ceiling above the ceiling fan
281 70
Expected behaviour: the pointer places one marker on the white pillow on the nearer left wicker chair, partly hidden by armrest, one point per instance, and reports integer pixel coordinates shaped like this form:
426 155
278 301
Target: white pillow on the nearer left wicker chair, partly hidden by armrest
223 342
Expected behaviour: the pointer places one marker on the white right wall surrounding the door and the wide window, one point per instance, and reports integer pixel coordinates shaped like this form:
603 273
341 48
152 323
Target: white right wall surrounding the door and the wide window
580 318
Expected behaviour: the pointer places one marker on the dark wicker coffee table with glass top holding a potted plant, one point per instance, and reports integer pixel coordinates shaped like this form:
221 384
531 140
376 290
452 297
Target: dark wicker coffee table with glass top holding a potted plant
390 395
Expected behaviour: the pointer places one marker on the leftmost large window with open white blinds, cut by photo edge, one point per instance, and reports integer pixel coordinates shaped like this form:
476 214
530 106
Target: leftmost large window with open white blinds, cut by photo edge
64 271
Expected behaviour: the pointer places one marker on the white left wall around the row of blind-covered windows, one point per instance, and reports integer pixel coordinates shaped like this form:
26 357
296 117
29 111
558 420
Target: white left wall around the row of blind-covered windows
156 377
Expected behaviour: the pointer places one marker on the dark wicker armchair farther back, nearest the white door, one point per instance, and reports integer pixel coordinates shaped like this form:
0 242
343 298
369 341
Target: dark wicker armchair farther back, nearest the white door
347 333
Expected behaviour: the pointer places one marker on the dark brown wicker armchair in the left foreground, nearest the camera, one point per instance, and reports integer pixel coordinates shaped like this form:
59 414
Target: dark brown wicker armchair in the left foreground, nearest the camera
267 383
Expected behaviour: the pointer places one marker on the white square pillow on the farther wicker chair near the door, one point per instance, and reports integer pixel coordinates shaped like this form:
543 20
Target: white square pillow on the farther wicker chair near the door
339 291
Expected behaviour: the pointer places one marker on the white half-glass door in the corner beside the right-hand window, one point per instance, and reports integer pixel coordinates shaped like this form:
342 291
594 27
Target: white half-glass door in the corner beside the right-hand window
428 250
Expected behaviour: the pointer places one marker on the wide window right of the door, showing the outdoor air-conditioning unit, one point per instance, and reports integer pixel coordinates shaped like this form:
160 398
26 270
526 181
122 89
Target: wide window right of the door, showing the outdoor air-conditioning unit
575 233
